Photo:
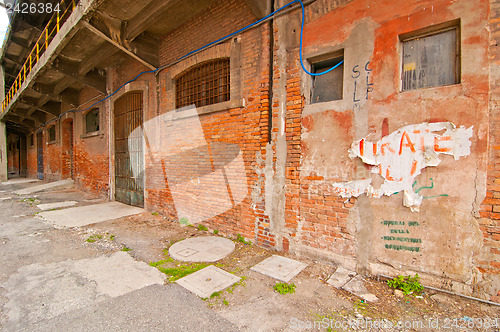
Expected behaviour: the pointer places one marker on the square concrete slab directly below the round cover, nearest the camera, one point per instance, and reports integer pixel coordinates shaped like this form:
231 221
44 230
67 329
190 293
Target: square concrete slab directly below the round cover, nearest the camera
207 281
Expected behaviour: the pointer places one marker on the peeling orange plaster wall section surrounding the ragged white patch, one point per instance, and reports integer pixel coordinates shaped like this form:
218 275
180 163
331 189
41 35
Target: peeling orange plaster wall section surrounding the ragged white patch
380 235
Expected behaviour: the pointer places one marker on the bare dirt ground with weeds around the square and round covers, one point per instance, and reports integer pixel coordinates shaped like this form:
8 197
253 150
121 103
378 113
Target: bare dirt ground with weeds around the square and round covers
253 304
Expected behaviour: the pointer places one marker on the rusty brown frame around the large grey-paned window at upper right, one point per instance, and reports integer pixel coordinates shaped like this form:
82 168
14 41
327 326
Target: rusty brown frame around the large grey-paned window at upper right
427 32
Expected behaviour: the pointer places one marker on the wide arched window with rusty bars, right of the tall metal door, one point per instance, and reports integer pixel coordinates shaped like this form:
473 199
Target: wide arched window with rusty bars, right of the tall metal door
203 84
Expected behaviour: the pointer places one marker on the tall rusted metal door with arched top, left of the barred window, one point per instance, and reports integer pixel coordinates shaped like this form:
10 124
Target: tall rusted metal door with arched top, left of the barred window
129 158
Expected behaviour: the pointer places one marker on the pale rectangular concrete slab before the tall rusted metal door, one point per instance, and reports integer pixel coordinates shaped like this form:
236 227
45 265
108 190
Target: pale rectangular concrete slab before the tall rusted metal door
90 214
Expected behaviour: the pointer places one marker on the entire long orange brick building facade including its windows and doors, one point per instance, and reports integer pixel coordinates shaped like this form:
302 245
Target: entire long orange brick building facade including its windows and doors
278 155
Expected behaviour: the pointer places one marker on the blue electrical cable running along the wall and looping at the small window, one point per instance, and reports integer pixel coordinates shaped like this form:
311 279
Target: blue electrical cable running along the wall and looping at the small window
157 70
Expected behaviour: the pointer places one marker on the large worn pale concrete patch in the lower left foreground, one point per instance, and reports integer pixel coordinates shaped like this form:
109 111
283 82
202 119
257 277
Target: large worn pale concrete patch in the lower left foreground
43 291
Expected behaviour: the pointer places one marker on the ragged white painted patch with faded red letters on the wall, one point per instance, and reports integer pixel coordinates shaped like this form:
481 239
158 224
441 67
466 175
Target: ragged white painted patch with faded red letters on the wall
400 157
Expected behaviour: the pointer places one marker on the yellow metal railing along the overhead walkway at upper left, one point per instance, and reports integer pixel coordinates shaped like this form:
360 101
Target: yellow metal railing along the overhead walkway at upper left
41 46
